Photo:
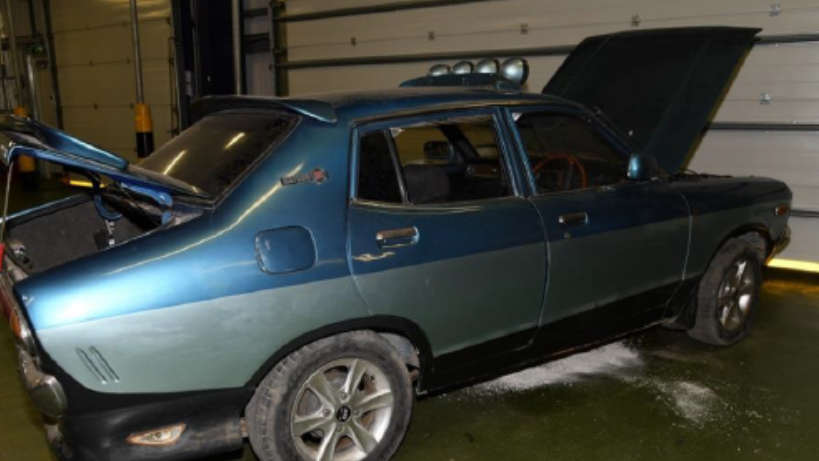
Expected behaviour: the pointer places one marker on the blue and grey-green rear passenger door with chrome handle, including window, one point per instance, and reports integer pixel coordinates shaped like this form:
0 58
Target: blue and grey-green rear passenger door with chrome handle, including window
440 235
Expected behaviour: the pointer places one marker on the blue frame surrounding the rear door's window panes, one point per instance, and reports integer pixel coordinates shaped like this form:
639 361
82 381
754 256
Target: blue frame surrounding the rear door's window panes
493 114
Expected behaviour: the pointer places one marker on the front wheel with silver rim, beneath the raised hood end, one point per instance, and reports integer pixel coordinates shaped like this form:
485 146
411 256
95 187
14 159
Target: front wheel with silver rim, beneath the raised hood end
728 295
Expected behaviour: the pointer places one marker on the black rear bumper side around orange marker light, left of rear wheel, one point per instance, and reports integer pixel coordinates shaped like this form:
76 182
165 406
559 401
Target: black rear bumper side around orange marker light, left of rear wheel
212 426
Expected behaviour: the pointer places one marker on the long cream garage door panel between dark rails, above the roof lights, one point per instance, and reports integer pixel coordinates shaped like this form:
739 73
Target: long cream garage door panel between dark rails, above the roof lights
497 24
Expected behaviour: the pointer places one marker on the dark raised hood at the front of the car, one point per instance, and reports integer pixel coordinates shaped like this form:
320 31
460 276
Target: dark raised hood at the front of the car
657 86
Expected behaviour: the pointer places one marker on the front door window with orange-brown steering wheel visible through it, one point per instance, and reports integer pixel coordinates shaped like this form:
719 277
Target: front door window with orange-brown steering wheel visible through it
567 153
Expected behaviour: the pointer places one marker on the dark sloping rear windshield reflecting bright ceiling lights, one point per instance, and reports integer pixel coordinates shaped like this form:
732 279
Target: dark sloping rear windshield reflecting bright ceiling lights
215 152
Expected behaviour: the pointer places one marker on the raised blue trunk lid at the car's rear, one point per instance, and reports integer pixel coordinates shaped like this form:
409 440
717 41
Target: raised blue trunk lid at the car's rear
33 139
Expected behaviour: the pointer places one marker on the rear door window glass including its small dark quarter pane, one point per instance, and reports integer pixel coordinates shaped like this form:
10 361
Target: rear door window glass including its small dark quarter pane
439 162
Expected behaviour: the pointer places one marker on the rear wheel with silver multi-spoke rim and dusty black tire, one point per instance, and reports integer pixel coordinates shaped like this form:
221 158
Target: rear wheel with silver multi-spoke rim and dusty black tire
345 397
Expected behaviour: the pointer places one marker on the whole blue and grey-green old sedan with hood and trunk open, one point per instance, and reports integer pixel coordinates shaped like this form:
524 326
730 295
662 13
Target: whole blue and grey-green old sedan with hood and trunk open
297 271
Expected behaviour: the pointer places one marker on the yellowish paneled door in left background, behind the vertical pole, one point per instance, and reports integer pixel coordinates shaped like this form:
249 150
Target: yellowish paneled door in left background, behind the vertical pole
94 54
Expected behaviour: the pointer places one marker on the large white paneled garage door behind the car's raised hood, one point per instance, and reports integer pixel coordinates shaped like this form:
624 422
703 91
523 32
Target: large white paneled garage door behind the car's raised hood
788 74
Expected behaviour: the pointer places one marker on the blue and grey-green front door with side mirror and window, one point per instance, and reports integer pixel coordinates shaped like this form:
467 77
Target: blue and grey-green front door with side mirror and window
617 248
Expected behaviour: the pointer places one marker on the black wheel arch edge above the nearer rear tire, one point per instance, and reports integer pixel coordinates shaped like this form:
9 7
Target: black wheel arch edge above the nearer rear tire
397 331
